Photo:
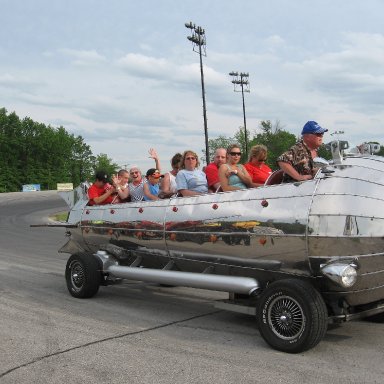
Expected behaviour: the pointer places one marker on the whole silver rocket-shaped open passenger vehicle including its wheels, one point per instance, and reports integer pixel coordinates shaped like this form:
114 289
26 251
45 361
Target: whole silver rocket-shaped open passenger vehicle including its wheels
298 256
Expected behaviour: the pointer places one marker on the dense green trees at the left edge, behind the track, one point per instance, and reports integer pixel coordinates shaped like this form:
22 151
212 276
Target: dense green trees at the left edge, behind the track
34 153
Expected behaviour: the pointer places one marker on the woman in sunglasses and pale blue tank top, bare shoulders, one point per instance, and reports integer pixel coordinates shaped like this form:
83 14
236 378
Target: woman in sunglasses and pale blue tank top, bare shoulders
232 175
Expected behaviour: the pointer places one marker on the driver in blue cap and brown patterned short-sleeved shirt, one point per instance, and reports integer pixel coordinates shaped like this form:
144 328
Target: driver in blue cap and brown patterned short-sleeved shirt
297 162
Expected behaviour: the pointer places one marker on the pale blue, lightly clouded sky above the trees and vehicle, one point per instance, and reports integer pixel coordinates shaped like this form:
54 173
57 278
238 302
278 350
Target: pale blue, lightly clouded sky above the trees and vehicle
122 73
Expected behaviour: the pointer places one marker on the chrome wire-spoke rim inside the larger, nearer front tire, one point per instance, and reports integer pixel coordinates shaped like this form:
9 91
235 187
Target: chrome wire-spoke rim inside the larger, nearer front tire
286 318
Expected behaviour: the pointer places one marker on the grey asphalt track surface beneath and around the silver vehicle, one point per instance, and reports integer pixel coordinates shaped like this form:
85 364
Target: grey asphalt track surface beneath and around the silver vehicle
142 333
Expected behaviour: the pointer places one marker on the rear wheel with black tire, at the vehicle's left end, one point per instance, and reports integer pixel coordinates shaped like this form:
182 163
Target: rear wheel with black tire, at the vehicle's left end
83 275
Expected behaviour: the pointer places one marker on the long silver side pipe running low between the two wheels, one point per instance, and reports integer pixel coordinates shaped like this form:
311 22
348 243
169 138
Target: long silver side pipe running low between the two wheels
236 284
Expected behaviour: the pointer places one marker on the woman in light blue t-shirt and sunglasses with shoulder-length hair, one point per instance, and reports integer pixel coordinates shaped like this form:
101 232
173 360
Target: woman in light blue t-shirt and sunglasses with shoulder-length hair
190 180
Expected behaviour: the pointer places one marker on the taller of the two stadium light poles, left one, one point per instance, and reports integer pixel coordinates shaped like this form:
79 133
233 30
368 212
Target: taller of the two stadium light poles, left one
198 40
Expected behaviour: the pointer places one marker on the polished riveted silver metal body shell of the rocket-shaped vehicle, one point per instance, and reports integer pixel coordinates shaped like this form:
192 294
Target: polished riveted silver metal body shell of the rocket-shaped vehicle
267 233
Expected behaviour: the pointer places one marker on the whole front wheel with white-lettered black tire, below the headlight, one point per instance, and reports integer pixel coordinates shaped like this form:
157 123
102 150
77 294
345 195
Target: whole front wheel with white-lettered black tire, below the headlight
291 316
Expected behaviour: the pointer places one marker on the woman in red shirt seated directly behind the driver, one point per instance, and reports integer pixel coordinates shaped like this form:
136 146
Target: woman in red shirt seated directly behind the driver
256 166
